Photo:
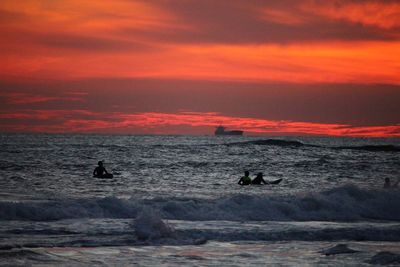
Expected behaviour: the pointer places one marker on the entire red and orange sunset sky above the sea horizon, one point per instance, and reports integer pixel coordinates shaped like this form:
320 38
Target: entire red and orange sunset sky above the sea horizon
184 66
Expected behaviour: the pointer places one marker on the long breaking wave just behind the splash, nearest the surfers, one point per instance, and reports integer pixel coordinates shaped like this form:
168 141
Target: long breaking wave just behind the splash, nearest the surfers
345 203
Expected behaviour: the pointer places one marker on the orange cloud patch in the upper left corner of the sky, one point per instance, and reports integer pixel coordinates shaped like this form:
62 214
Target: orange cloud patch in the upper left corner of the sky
97 17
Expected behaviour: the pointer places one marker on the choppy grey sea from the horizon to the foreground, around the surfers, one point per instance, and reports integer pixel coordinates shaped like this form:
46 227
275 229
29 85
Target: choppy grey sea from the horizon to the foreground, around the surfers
174 200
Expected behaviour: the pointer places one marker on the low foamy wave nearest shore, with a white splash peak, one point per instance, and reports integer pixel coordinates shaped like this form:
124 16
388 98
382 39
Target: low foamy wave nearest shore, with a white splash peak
150 229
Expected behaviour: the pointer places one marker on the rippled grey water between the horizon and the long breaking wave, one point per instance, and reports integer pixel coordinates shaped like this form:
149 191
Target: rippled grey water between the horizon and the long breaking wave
60 166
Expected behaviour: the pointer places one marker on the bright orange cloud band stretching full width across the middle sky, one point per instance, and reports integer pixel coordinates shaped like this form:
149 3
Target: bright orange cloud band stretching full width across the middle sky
357 62
